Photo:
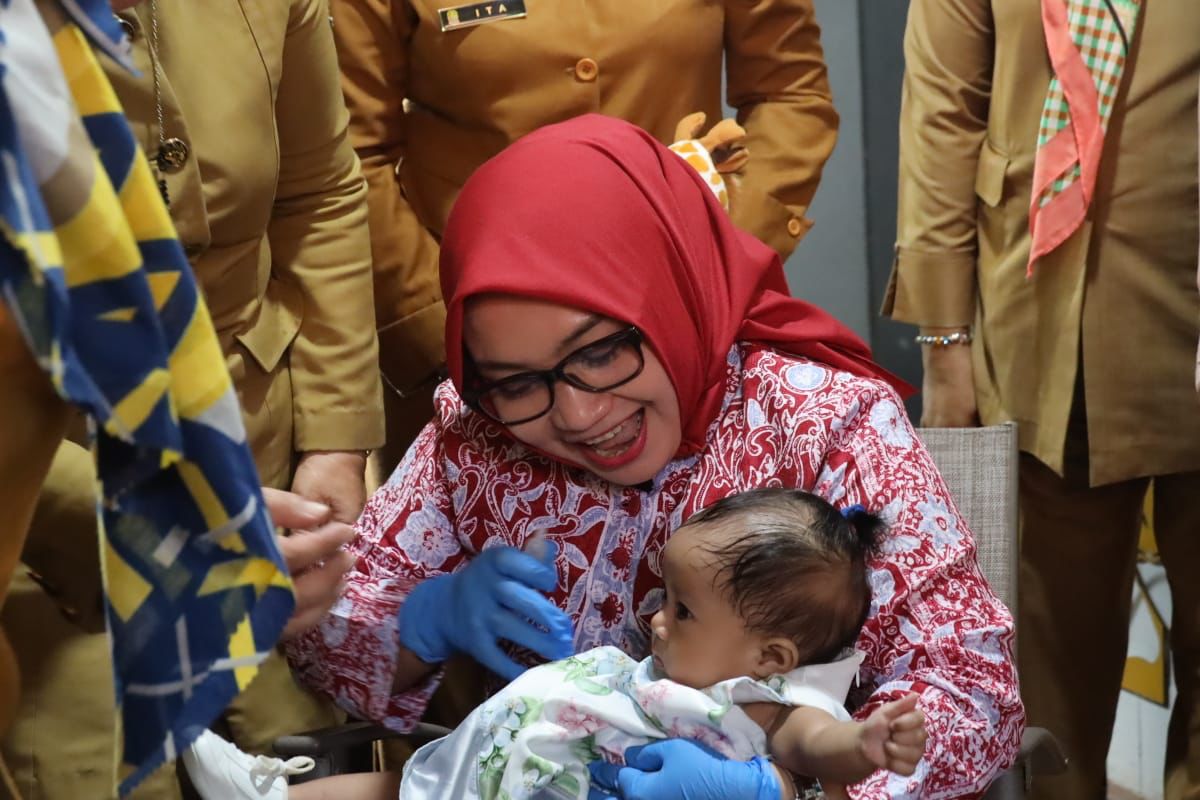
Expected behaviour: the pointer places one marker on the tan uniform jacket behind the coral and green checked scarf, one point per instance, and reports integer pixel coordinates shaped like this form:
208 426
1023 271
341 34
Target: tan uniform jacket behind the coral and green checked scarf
1121 292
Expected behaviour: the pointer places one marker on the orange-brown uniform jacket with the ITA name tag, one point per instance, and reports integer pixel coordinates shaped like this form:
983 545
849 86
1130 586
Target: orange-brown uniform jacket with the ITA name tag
475 91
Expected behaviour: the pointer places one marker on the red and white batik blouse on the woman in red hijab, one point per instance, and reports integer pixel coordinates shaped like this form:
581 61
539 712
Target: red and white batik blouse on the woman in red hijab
935 627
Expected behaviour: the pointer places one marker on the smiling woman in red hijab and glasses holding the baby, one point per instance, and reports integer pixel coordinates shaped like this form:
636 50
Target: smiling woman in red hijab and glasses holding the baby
621 358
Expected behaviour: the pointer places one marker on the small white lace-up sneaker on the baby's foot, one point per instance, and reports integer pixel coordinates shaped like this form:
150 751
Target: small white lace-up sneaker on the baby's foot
221 772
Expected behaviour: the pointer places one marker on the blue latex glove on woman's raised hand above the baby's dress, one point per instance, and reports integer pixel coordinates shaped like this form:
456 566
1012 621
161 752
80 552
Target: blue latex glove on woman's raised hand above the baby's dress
496 597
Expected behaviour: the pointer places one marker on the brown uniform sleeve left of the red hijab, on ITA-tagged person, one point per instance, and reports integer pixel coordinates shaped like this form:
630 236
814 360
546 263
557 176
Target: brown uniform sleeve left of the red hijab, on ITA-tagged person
373 40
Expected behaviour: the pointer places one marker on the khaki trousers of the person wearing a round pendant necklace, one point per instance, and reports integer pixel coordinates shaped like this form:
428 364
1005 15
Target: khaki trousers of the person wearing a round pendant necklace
63 741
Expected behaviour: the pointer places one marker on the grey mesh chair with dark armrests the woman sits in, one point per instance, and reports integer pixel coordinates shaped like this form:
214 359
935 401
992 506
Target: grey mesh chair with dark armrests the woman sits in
980 468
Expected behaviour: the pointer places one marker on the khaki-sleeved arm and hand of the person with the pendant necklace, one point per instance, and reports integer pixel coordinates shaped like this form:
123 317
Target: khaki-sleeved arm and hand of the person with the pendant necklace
320 243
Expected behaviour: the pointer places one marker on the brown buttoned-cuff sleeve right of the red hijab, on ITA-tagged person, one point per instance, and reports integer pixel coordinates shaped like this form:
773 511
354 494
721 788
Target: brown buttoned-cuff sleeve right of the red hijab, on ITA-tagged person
778 83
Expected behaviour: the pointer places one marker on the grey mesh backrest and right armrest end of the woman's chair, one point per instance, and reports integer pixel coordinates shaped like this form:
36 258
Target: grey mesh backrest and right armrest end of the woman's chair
980 468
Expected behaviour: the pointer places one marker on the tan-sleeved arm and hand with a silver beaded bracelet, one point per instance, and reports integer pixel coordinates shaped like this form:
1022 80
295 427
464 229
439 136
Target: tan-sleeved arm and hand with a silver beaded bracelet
944 124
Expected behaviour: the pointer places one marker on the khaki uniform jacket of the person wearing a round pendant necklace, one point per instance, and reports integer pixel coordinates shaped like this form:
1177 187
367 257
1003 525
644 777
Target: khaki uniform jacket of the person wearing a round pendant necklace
269 206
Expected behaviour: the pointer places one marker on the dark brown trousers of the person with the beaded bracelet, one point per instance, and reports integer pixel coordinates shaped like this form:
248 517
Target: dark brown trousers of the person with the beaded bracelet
1078 557
